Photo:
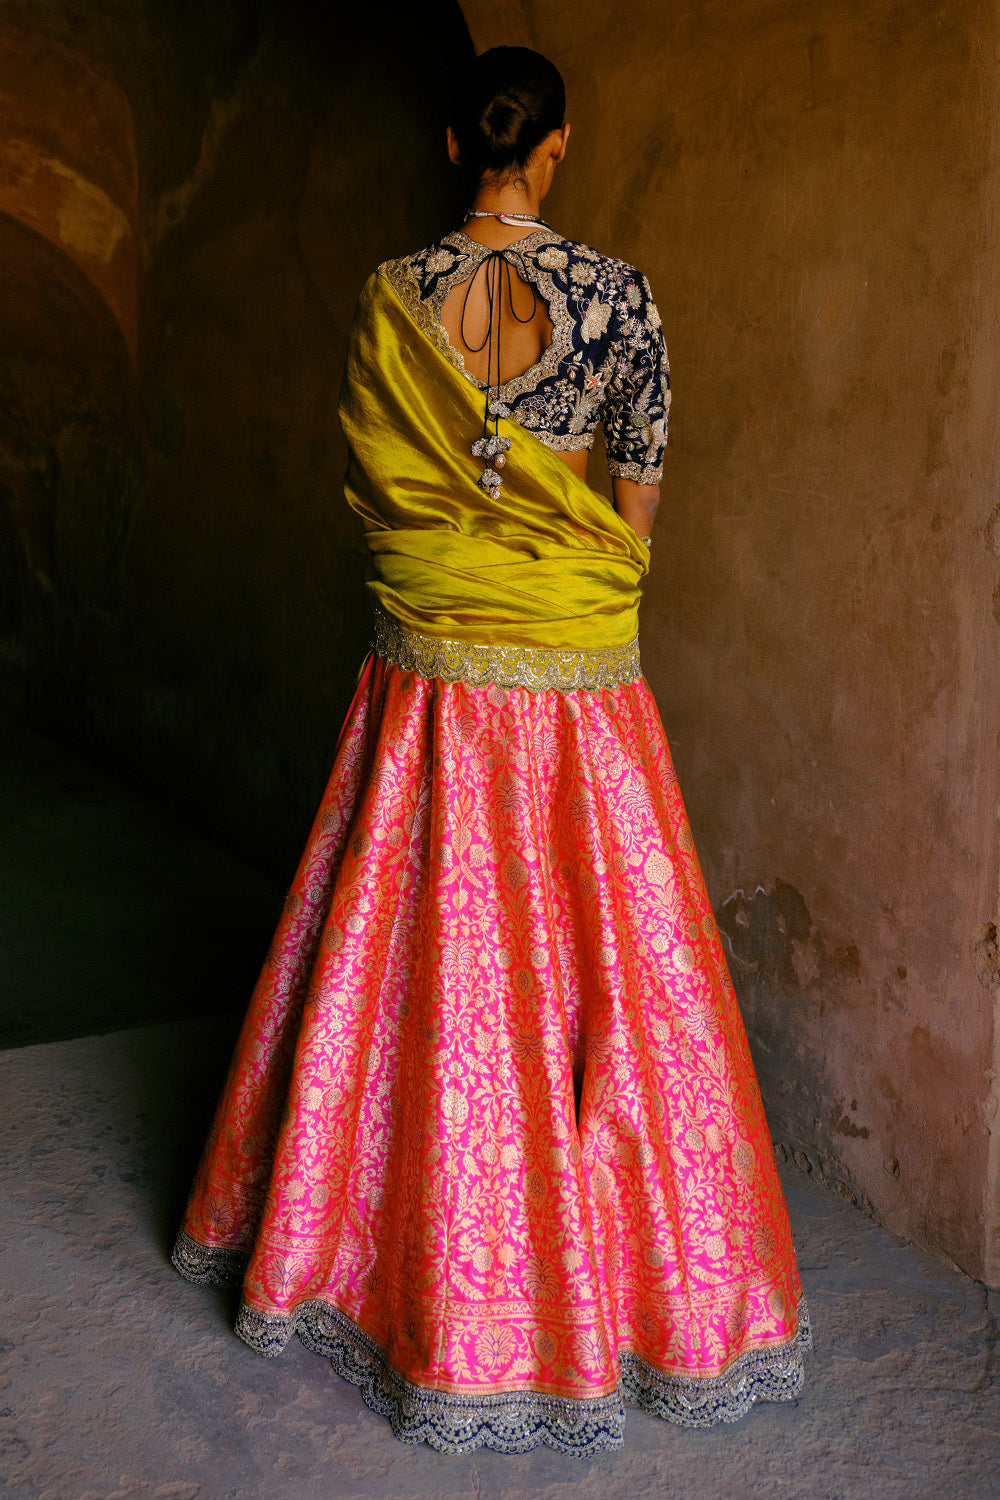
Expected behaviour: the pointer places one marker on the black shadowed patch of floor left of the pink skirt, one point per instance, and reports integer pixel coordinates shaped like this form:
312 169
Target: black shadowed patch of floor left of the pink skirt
112 913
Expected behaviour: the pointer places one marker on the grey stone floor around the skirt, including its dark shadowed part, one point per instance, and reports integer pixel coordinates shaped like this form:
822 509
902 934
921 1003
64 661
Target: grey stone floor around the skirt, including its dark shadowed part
119 1381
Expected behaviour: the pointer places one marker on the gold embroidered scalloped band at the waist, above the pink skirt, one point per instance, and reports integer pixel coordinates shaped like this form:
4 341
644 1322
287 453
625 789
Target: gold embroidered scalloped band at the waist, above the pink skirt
482 665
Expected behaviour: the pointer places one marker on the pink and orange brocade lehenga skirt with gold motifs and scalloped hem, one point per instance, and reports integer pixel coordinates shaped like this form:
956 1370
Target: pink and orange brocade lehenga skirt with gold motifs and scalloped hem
493 1139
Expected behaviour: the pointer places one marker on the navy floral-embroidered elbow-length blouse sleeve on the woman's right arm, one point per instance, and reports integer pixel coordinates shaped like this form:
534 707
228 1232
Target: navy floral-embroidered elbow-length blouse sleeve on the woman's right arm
638 392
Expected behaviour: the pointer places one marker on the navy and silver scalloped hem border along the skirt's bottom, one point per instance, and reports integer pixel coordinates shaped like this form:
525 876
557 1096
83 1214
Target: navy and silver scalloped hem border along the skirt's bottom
509 1423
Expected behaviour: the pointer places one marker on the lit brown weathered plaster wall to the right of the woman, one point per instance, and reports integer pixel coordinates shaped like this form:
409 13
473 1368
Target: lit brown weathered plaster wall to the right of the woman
812 193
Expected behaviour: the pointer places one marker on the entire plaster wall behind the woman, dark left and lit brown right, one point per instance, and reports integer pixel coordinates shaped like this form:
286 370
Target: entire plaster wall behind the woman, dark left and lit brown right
810 191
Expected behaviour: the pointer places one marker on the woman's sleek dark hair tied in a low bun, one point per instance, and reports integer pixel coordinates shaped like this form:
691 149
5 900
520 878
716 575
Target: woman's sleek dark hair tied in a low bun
509 101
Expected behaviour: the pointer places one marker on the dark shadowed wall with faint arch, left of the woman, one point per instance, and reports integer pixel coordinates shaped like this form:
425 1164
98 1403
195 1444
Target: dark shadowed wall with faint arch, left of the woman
187 226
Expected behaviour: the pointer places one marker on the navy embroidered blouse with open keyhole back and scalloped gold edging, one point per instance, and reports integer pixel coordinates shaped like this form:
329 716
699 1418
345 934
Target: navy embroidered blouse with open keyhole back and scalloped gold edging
606 361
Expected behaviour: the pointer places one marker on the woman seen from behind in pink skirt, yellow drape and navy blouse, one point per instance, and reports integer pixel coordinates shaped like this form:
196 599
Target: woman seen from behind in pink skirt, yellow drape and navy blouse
493 1139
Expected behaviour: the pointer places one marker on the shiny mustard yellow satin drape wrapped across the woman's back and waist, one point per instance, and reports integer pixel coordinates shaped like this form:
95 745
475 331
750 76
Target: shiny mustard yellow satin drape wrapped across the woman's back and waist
548 565
